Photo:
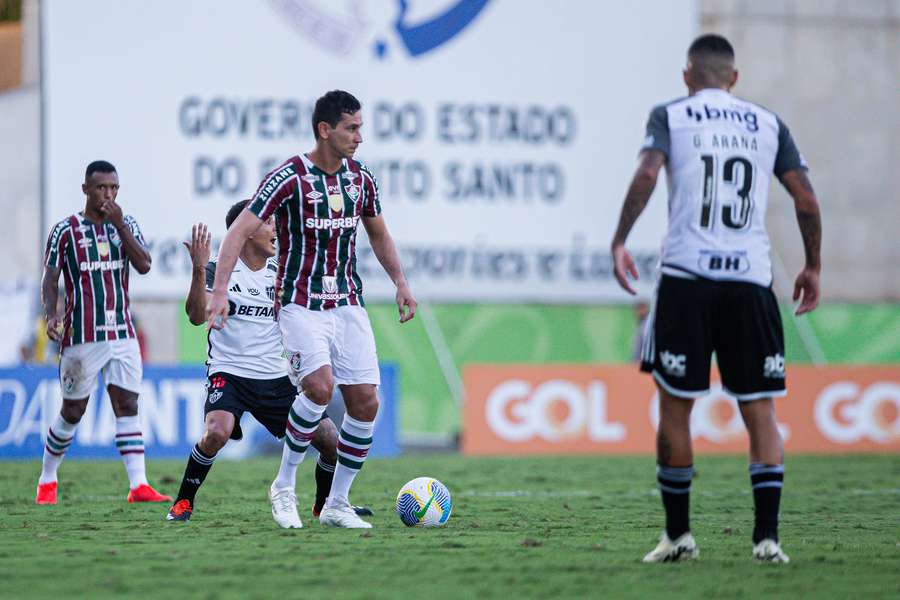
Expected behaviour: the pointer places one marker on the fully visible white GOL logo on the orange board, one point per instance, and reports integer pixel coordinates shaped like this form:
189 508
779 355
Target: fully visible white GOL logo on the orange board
554 410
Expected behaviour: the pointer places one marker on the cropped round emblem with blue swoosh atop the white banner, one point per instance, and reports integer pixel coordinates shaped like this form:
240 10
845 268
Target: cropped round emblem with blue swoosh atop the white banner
413 26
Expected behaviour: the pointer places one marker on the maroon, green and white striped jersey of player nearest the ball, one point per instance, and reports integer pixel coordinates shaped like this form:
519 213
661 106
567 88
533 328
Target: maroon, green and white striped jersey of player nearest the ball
316 217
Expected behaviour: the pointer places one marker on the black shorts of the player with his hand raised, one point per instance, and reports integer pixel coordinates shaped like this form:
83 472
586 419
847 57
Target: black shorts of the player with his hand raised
268 400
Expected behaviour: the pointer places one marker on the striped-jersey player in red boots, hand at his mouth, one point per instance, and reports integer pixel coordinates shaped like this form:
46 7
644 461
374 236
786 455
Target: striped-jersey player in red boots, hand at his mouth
94 250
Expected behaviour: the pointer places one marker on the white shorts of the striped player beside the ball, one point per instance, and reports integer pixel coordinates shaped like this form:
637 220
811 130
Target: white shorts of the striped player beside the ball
341 337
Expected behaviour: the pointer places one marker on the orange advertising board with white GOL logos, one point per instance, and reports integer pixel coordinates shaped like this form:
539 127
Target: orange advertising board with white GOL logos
584 409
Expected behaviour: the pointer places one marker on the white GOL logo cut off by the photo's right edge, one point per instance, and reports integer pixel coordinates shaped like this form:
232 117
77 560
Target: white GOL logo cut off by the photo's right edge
845 413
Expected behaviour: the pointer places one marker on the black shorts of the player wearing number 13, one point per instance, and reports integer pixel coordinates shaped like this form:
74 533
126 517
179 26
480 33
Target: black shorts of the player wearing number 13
739 321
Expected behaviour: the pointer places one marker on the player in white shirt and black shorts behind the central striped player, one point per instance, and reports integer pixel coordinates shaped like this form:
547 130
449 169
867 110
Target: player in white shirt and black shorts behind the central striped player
246 369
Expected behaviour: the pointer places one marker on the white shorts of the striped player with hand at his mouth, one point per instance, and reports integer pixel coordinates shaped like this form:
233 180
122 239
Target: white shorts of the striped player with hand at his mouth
118 360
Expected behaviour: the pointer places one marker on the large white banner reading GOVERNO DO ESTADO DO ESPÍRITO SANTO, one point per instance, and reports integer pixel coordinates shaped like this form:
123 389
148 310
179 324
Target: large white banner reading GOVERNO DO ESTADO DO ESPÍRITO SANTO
503 132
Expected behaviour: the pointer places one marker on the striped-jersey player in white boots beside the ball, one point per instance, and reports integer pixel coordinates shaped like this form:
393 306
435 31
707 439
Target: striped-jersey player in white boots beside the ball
318 200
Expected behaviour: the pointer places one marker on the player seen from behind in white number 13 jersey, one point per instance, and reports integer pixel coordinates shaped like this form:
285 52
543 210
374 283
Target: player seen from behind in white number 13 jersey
714 291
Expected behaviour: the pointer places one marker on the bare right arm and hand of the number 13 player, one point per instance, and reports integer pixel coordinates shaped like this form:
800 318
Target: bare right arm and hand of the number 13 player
806 286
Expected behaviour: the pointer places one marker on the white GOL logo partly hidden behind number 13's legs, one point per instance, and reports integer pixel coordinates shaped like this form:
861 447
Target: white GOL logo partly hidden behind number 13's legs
715 417
